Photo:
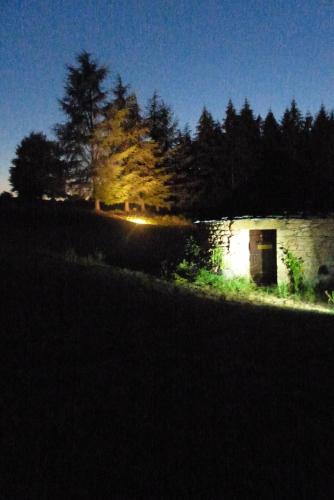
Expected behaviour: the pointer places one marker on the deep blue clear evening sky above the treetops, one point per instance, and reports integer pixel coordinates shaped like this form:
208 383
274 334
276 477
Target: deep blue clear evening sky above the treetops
193 52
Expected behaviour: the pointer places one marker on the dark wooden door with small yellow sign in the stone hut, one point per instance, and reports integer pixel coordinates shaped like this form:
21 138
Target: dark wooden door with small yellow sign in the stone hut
262 254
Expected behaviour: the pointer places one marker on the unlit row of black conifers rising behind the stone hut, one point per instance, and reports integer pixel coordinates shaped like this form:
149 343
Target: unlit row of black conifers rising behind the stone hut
246 164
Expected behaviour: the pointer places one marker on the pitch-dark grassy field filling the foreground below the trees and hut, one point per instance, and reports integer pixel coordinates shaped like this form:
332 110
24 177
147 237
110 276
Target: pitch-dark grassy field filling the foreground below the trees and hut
118 386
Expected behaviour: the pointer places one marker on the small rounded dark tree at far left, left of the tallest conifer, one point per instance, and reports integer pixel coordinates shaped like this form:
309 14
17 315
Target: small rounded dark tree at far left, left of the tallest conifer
38 168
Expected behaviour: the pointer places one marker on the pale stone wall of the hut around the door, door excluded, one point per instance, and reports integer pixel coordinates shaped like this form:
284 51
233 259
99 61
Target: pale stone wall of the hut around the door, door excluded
312 239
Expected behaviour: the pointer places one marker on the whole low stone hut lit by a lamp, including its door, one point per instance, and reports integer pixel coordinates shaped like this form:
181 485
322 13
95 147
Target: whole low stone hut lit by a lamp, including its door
253 246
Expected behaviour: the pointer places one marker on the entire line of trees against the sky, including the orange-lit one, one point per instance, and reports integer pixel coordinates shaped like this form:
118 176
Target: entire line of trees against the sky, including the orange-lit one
110 150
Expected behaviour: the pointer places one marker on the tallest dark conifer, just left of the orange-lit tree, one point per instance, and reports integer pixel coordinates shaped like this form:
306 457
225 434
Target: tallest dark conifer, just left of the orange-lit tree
83 105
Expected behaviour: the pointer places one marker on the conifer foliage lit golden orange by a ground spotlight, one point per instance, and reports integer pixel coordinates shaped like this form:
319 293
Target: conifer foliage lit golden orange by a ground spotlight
126 163
